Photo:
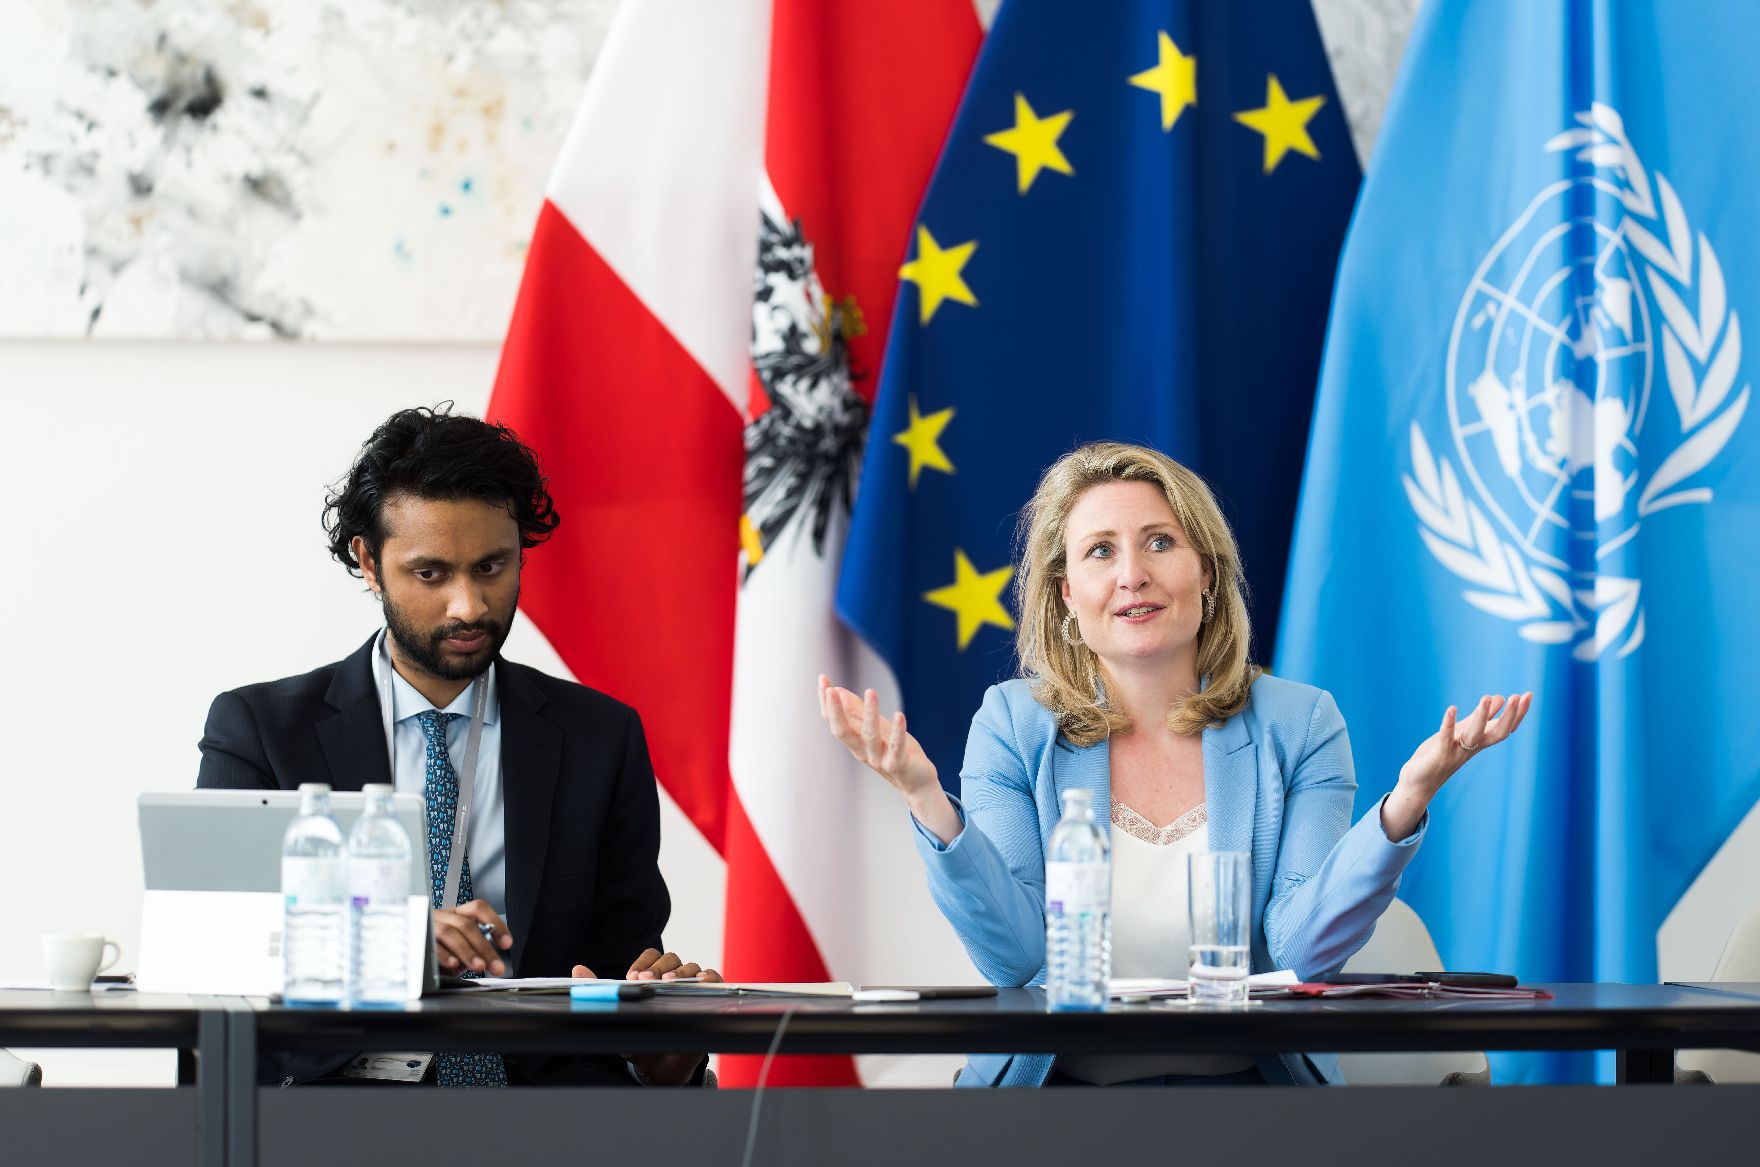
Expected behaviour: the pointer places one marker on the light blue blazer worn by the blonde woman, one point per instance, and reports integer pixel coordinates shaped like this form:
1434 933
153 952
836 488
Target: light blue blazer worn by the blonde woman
1279 782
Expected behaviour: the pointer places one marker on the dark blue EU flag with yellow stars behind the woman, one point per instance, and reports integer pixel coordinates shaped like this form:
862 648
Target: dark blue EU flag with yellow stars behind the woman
1131 235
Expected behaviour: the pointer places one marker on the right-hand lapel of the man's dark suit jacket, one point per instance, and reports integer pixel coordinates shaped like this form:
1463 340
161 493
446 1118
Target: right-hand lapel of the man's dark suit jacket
531 765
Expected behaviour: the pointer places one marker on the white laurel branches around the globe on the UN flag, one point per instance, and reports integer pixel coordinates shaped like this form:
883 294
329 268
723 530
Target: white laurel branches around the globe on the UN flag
1703 355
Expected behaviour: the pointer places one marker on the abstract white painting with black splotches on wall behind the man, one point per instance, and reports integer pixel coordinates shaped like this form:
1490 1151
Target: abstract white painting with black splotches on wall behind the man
325 170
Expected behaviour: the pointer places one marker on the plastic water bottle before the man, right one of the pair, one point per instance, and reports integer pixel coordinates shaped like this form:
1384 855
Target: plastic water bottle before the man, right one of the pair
379 888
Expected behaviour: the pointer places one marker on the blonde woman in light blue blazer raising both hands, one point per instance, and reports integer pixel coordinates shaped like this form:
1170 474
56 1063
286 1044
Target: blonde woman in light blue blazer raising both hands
1136 686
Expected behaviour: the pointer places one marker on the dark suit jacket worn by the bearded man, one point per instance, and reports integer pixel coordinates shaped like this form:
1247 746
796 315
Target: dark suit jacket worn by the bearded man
580 805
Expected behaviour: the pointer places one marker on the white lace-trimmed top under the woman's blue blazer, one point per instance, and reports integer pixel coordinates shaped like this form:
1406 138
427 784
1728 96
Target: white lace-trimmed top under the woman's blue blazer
1152 932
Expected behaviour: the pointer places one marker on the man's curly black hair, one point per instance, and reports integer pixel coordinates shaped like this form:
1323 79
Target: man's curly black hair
432 453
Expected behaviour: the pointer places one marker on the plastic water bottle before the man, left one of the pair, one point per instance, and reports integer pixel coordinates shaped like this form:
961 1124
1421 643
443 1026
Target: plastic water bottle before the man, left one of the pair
314 877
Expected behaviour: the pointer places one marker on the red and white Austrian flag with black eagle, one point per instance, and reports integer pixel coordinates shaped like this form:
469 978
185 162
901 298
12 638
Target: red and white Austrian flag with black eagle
694 356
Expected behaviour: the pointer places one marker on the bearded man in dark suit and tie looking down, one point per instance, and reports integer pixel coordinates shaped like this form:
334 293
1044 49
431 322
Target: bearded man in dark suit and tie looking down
559 867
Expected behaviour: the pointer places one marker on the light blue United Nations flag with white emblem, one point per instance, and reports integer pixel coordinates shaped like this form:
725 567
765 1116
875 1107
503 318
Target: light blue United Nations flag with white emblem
1532 469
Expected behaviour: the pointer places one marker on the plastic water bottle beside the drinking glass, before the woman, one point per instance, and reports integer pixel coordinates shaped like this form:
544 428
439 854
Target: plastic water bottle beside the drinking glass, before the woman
1078 909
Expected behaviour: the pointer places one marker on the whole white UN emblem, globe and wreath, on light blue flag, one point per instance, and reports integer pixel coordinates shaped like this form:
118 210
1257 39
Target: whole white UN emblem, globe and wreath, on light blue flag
1594 378
